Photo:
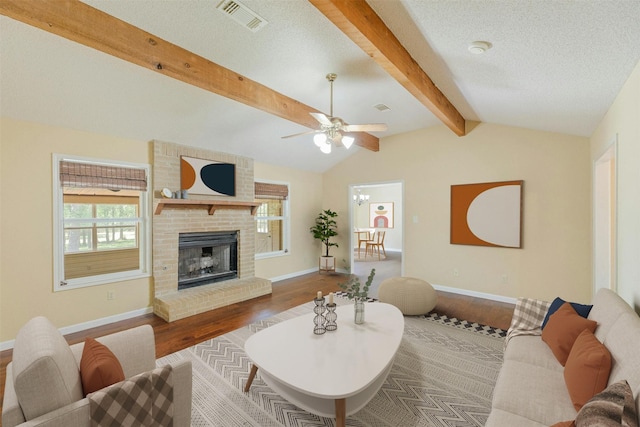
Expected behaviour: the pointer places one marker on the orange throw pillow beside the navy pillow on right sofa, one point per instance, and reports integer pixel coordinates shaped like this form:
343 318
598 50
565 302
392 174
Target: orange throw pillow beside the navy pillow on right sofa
563 328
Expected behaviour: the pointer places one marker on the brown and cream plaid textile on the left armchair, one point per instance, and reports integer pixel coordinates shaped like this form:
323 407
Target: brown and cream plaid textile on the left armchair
145 400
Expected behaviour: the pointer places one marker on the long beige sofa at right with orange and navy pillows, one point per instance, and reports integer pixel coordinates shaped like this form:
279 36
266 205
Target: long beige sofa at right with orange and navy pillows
531 389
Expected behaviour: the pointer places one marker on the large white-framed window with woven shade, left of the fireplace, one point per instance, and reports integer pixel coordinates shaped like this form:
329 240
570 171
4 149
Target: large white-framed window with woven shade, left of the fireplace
101 216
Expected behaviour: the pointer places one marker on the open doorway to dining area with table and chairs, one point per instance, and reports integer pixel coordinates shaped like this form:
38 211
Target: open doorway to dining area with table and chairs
377 208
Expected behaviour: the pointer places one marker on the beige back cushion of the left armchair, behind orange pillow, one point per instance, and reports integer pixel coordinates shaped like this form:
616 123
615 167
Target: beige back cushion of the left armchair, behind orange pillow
45 373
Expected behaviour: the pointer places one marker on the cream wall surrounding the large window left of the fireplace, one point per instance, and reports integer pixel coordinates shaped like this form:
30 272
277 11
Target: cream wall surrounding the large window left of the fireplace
26 245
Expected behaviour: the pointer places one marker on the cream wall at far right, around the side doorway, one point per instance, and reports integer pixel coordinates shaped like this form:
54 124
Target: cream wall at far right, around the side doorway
623 121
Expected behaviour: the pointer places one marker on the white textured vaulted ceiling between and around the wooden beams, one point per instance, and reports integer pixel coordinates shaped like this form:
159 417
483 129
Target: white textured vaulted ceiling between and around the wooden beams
554 65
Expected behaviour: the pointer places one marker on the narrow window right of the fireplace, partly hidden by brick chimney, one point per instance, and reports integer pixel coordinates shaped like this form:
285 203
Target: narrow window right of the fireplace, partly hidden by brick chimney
272 219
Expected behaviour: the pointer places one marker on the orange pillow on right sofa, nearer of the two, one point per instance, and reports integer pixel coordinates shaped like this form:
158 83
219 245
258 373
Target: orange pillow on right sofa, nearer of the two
587 370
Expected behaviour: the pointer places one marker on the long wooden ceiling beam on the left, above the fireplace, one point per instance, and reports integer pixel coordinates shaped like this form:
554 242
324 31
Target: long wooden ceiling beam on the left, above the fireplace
91 27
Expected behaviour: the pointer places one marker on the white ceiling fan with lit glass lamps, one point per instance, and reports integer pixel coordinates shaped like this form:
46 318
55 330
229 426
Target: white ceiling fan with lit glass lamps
332 128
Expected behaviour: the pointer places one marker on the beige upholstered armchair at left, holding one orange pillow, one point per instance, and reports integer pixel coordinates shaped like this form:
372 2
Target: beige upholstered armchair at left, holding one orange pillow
43 384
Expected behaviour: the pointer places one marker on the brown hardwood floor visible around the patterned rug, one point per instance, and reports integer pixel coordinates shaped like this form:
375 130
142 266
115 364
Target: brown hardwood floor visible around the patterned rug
174 336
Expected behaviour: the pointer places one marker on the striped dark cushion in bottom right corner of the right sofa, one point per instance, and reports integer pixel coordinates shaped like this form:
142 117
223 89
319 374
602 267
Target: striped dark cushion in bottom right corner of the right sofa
612 407
